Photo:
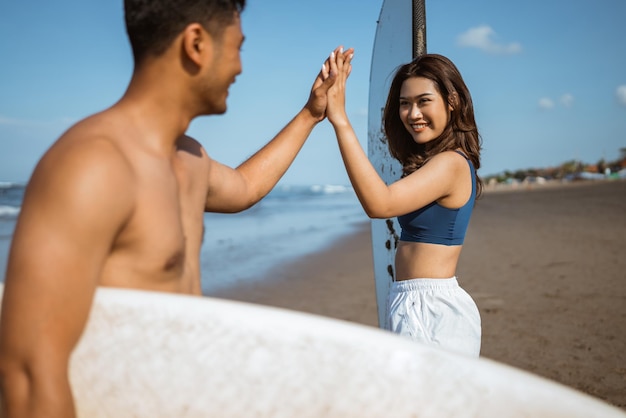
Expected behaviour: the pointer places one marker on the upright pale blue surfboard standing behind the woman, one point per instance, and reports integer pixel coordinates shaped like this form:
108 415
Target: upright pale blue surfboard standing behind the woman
393 46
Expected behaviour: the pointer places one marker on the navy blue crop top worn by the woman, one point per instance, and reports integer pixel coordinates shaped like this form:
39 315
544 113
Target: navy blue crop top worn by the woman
435 224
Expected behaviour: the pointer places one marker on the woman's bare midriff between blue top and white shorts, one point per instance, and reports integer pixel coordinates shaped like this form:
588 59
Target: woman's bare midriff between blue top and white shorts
415 260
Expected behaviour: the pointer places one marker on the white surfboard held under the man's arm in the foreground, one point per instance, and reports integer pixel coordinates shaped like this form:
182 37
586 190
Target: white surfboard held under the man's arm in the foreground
153 355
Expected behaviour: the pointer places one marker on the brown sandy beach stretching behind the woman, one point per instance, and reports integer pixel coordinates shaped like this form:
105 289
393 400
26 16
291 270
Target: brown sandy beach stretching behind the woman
545 264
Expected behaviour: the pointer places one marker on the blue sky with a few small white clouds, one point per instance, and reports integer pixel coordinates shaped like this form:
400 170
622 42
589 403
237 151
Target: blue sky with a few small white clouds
548 77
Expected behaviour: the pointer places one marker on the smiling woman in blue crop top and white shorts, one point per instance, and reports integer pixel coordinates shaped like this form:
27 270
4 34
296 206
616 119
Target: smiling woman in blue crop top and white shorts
429 123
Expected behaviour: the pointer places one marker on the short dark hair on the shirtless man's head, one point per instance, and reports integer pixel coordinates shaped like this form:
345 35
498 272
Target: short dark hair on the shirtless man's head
153 24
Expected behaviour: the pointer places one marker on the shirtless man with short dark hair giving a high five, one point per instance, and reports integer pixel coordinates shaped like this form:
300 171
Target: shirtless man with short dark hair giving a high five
118 200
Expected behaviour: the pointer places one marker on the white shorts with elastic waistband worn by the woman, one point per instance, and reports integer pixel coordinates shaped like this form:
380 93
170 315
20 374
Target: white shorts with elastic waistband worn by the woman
435 312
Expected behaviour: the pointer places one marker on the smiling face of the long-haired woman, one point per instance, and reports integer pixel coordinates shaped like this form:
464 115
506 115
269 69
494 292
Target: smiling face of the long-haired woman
423 111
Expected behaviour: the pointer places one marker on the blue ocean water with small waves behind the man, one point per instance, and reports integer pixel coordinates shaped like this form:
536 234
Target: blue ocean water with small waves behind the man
290 222
